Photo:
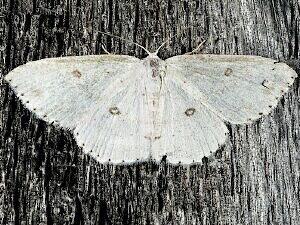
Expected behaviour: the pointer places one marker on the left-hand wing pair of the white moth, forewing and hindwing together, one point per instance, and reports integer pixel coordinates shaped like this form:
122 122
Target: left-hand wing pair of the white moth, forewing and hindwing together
80 93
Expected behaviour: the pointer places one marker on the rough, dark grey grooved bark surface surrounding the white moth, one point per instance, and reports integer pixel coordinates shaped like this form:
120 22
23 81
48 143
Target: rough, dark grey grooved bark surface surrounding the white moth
46 179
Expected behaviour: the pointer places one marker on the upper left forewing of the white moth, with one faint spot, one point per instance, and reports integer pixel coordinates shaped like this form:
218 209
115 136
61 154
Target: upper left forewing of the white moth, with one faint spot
63 90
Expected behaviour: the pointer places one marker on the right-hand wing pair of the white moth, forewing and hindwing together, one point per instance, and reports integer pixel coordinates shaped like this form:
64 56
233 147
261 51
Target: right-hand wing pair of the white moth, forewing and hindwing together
213 89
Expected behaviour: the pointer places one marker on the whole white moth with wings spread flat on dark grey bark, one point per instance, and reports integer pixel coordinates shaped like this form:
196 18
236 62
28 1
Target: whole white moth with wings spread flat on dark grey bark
123 109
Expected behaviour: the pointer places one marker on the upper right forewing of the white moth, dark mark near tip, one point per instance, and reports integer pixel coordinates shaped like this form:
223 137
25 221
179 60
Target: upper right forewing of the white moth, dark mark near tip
237 88
